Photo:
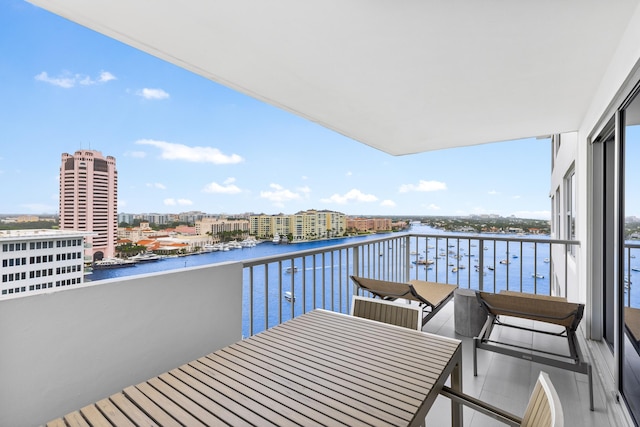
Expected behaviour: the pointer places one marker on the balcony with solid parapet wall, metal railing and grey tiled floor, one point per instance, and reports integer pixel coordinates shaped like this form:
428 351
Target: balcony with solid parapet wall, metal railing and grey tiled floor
64 350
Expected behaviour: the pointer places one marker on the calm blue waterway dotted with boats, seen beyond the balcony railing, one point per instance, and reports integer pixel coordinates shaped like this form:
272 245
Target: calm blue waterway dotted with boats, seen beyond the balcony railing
322 281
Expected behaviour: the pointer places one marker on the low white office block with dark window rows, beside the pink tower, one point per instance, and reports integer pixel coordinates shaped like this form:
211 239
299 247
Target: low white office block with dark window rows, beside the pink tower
38 261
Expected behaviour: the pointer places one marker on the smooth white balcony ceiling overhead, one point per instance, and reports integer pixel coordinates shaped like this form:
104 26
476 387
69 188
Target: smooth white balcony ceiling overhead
400 76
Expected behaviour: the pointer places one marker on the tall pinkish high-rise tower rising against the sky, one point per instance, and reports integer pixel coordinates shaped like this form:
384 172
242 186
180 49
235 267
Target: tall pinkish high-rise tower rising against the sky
89 199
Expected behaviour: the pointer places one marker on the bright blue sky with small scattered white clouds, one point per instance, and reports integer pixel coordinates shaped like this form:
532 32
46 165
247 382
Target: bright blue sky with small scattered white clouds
184 143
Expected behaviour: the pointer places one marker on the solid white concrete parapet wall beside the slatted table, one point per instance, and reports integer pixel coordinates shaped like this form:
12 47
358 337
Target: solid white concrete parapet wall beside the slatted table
64 350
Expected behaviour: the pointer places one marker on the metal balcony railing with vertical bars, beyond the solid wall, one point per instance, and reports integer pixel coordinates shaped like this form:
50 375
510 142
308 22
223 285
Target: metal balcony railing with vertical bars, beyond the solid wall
278 288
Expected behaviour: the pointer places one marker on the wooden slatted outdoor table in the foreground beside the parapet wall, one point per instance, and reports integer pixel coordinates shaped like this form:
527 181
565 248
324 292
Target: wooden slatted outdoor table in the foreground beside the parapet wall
321 368
